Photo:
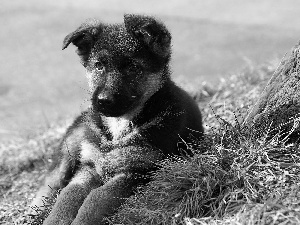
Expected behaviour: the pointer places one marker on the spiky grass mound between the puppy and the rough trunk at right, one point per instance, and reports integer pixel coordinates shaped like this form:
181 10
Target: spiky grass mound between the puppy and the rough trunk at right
238 180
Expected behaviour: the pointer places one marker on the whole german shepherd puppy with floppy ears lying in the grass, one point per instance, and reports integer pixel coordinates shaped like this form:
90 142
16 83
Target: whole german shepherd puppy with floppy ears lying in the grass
137 117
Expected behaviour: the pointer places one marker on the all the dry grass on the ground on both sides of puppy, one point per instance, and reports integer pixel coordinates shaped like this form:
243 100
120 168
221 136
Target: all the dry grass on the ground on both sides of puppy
239 179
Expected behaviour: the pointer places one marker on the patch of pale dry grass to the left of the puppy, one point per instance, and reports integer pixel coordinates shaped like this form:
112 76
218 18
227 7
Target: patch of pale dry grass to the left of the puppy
22 168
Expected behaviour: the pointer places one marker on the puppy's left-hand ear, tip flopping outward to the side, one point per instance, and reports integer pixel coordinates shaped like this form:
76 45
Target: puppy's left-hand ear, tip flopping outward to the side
84 38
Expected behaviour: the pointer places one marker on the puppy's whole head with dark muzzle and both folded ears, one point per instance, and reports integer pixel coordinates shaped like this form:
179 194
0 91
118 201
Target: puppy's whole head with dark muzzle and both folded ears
126 63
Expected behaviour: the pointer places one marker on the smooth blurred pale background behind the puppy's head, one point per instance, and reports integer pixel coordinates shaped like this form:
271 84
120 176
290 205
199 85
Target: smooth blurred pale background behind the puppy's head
40 84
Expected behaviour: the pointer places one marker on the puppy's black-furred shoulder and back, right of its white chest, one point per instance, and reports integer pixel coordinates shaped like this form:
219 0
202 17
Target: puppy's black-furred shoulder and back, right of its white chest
169 116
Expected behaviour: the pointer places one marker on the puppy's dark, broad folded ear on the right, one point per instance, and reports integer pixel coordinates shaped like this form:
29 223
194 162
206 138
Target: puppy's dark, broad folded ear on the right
149 31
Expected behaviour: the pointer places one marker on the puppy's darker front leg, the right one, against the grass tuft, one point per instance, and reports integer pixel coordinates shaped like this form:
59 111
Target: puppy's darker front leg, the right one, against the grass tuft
102 202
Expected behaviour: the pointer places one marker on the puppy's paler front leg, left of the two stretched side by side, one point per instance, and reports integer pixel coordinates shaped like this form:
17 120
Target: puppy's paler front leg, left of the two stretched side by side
71 198
